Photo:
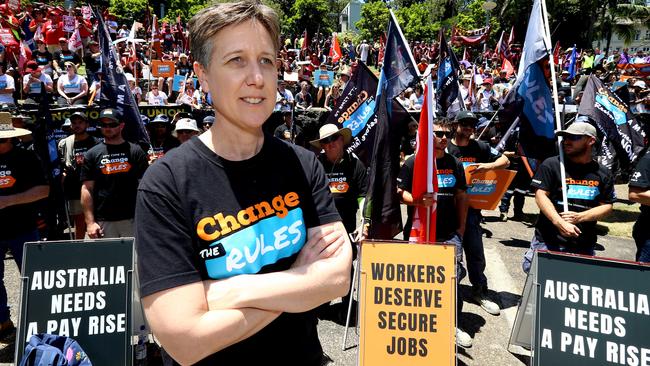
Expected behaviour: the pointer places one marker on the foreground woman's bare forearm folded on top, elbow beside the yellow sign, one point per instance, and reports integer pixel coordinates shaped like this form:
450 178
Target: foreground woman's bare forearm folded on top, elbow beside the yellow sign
320 273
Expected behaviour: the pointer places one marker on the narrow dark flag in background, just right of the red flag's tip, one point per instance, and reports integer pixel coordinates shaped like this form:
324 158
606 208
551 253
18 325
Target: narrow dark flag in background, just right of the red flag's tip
447 80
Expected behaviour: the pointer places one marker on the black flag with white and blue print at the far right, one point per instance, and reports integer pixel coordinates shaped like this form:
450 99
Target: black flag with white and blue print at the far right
623 137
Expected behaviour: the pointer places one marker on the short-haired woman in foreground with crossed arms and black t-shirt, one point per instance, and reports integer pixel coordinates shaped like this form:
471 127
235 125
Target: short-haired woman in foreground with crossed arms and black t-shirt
237 234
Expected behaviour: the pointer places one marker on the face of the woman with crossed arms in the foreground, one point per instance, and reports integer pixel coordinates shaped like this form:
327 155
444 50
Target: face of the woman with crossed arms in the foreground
242 77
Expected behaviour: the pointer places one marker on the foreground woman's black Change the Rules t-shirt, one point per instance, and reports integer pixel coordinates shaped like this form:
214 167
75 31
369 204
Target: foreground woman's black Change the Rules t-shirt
201 217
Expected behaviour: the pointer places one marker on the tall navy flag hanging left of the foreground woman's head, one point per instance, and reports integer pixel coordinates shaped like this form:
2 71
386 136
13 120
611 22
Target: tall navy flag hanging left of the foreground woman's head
116 89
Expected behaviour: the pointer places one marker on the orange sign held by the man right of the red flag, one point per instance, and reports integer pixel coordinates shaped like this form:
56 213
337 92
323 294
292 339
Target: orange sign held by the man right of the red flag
485 189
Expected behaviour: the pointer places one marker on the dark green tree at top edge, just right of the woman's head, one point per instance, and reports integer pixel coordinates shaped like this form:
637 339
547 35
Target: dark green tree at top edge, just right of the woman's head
312 15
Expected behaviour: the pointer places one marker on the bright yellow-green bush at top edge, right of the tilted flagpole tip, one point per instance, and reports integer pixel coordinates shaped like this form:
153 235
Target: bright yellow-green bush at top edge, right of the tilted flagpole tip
417 23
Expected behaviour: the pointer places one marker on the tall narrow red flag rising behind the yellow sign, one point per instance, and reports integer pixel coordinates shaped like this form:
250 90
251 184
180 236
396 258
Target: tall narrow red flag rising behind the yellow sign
425 179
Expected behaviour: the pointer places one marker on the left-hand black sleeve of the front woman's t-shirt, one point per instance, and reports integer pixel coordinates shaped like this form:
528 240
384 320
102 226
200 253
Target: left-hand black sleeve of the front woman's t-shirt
166 255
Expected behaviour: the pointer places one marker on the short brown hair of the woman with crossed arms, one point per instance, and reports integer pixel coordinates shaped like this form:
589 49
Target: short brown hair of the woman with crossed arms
208 22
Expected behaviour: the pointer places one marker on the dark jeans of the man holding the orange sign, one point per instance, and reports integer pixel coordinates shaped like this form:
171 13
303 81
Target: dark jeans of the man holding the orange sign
474 254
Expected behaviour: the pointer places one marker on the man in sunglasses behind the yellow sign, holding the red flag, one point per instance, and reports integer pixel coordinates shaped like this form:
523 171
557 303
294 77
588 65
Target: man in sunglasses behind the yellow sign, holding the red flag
451 204
